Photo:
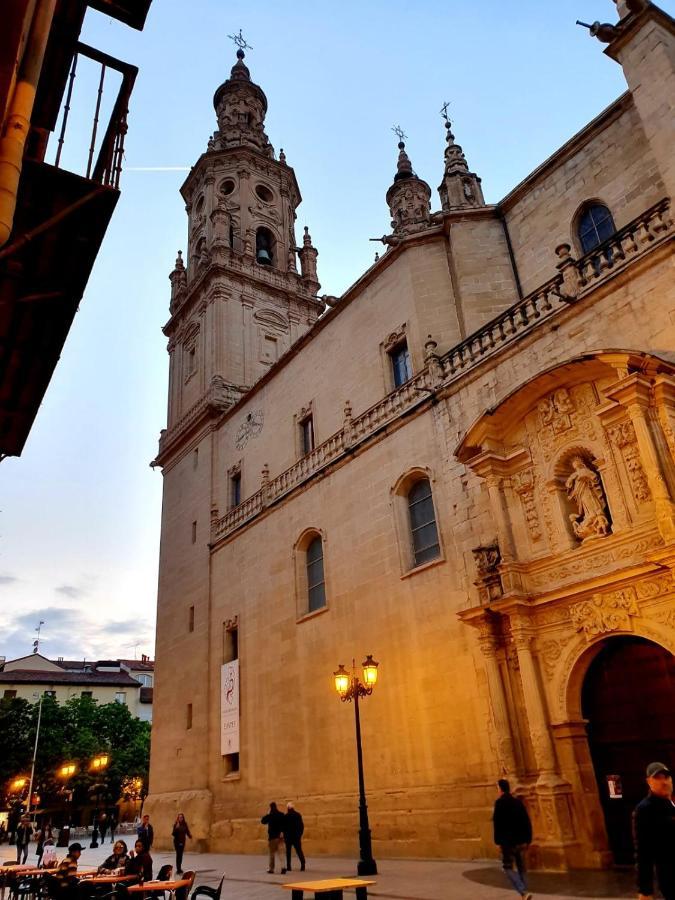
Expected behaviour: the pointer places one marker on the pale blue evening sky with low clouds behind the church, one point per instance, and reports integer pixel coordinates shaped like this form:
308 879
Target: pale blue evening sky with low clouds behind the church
80 509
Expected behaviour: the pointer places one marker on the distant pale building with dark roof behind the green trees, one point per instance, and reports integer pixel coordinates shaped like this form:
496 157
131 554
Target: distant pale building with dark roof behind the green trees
125 681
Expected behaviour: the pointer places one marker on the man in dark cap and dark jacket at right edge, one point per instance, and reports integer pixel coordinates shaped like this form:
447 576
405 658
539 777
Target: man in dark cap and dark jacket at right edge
654 829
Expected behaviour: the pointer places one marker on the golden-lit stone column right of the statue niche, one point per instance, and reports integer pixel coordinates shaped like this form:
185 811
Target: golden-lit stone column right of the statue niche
634 393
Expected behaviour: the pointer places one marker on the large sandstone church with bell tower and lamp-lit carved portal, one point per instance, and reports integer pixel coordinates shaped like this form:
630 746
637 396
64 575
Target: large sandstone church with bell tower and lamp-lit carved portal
465 465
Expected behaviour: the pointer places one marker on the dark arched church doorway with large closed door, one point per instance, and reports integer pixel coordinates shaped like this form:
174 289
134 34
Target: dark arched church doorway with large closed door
628 698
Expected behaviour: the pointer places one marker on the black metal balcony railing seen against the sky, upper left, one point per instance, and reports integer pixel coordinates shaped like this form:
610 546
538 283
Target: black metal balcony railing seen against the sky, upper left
105 155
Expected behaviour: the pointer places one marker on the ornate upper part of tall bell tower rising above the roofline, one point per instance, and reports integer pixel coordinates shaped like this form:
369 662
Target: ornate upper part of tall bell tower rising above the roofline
238 301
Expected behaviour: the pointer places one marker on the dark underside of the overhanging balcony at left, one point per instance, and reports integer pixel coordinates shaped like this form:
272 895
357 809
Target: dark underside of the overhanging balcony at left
41 286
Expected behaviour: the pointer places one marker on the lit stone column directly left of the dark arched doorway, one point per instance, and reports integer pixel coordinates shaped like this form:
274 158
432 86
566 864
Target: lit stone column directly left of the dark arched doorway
540 735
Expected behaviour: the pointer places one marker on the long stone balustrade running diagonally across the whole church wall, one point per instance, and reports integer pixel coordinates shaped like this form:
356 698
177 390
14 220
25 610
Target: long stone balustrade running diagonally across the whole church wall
575 279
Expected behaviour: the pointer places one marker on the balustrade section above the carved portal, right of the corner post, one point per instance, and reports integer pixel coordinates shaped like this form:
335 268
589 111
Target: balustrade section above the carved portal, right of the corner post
575 279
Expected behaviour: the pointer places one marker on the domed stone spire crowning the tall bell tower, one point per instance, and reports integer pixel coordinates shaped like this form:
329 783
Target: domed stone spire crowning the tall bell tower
240 108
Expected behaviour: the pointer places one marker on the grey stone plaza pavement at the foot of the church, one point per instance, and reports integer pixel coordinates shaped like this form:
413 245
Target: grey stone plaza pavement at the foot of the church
398 879
